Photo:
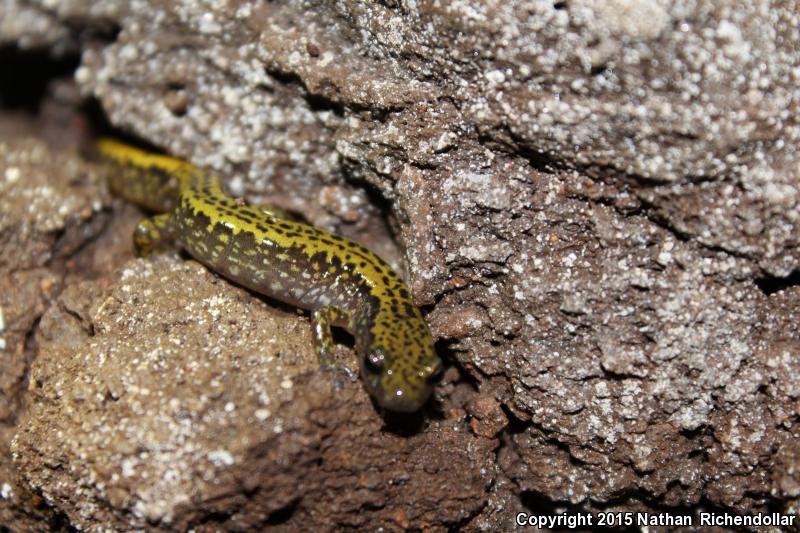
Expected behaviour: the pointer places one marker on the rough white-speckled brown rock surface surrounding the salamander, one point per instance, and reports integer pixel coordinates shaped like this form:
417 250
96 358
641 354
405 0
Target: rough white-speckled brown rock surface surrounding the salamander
595 202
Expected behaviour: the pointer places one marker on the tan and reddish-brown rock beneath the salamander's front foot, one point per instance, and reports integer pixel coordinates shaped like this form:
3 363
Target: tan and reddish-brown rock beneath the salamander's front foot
178 400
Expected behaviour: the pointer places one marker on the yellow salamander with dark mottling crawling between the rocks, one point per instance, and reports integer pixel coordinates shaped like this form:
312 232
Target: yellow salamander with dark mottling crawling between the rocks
340 281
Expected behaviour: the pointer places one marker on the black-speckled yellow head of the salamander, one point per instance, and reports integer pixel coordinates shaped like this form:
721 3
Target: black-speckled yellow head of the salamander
400 366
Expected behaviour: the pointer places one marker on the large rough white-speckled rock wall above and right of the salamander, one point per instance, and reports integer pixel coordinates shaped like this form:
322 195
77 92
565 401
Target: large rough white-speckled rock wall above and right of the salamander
596 201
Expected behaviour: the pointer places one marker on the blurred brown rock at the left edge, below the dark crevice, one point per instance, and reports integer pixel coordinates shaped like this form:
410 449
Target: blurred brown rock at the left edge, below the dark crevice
51 204
